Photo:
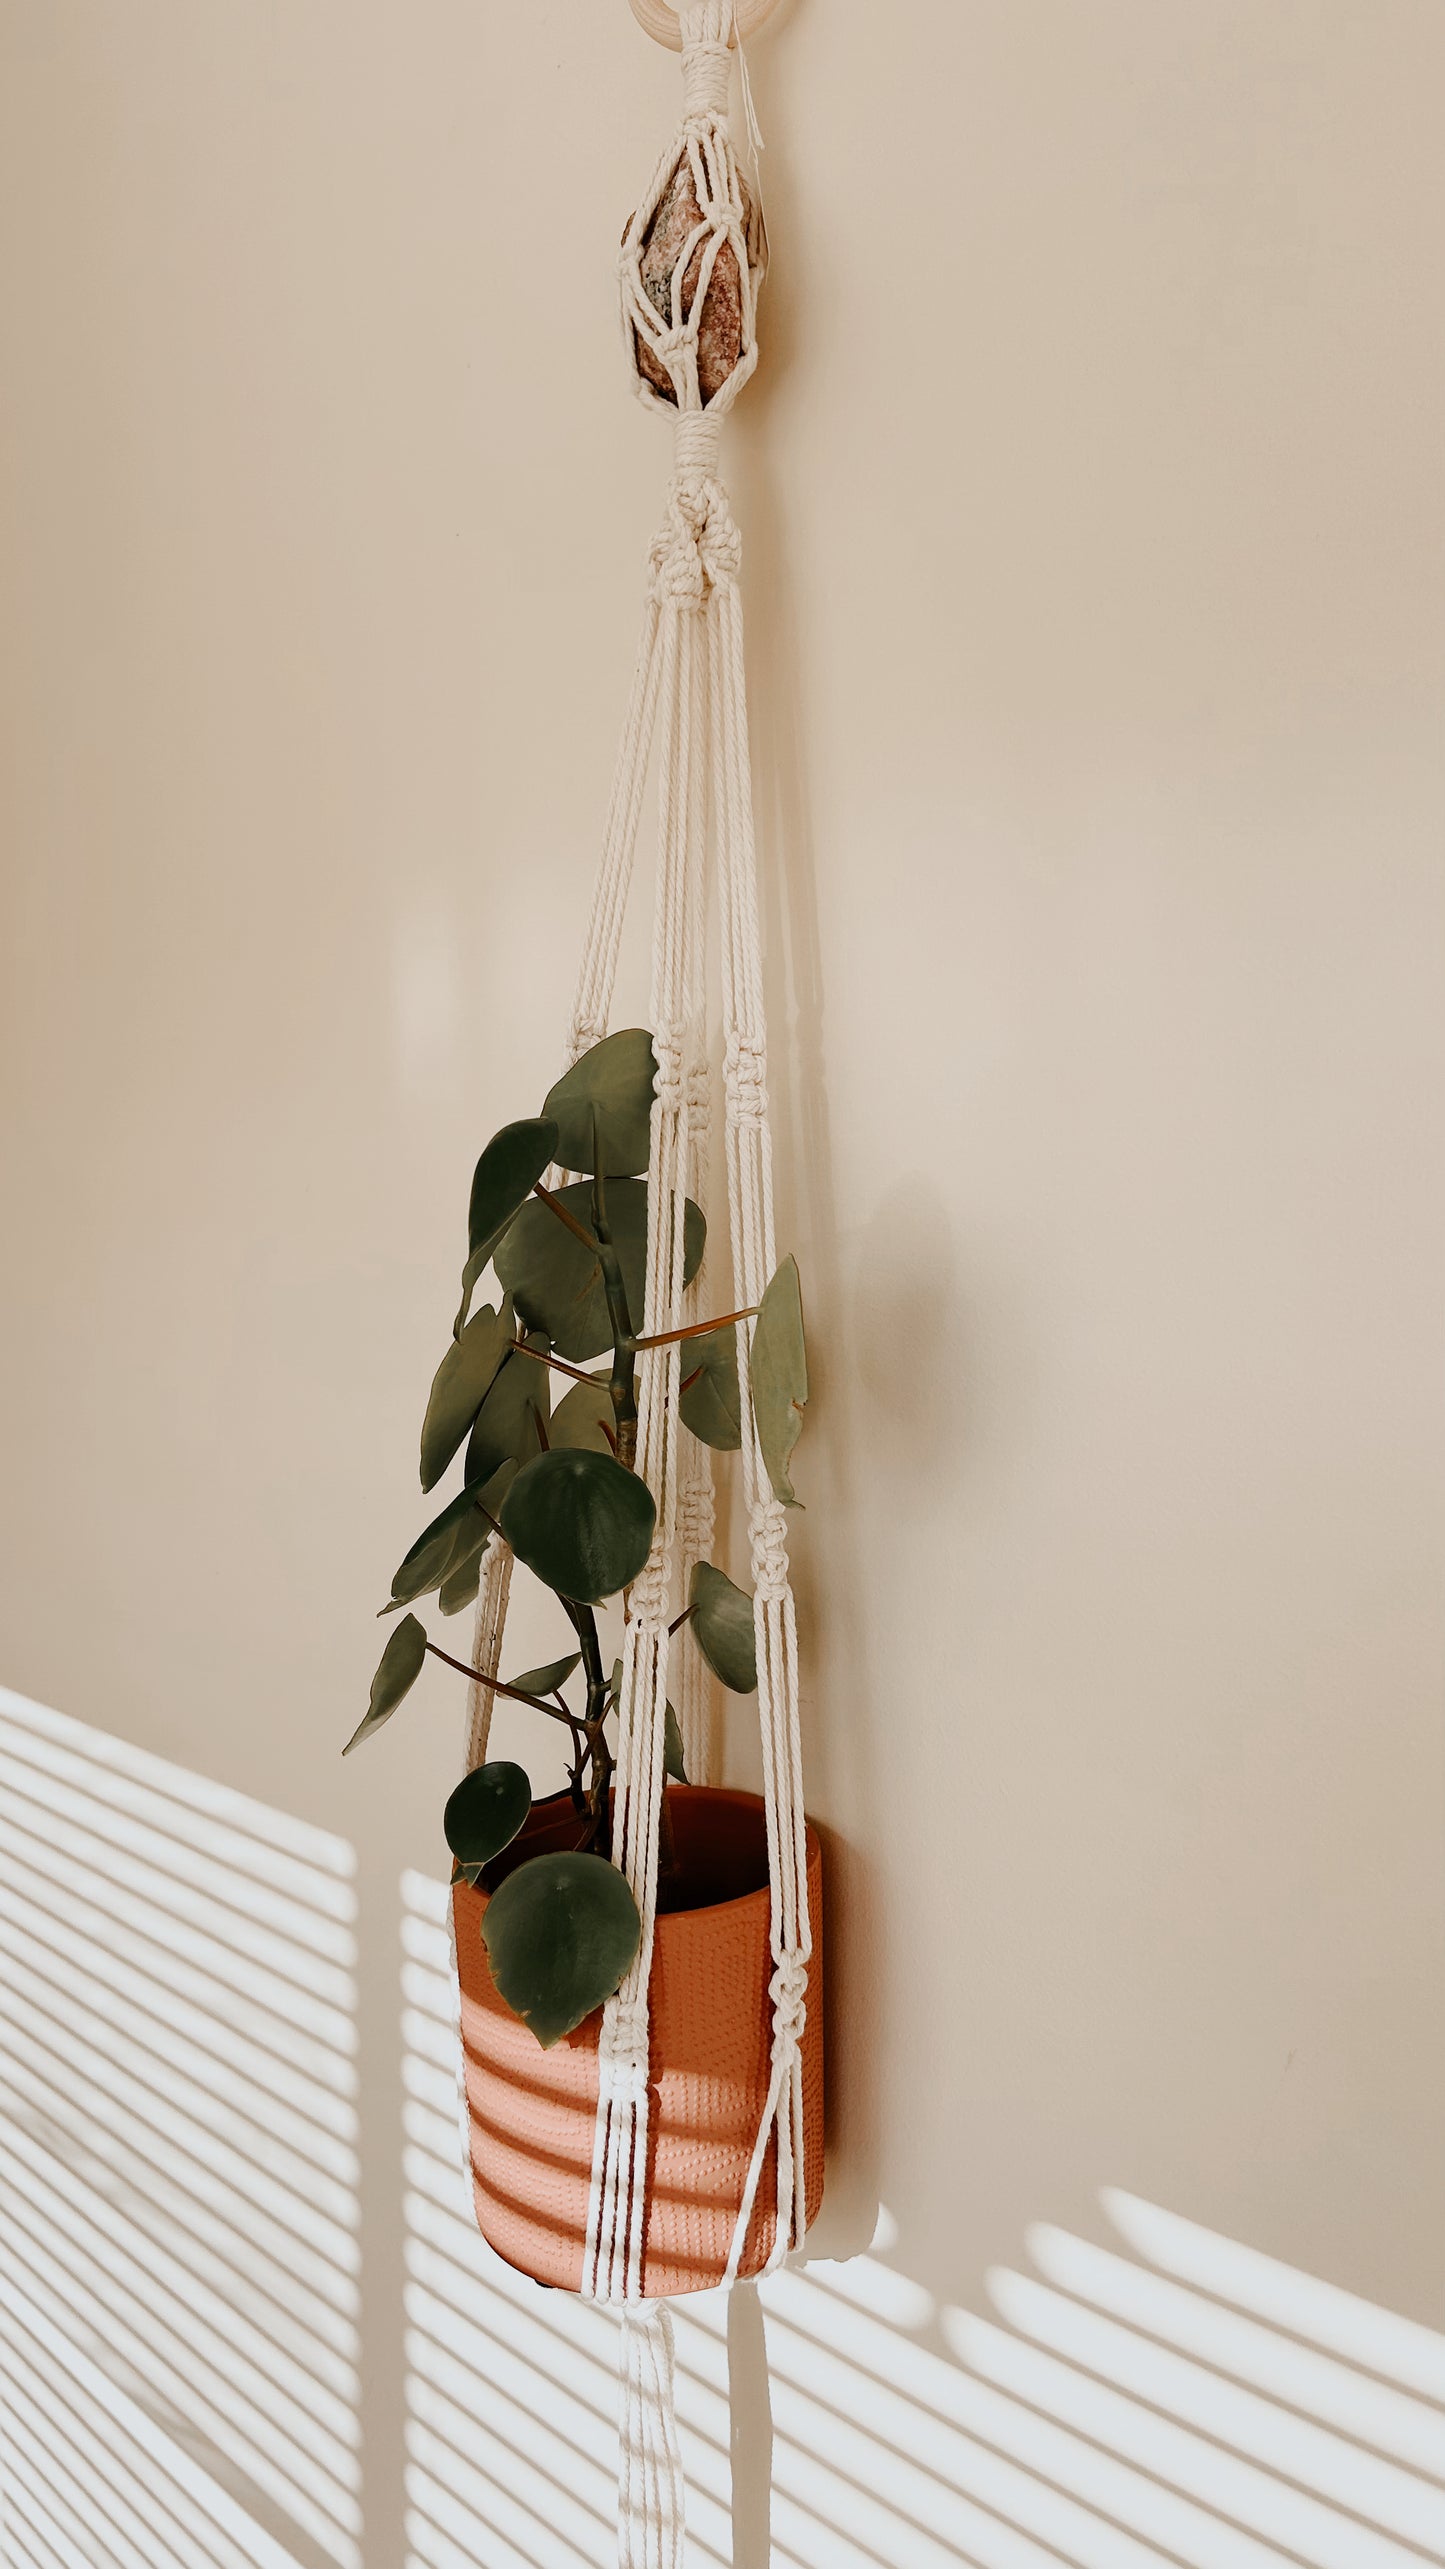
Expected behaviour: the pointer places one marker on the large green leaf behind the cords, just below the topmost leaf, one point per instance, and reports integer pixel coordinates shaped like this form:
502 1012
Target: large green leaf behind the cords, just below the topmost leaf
557 1276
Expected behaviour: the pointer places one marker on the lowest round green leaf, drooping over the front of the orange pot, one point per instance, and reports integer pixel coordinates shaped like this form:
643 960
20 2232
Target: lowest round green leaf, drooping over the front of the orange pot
559 1936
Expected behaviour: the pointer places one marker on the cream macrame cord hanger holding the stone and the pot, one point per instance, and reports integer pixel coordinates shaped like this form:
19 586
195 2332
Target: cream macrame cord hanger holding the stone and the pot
690 268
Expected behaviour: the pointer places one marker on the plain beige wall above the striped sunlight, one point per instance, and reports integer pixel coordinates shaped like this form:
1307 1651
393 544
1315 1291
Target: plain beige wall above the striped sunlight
1094 513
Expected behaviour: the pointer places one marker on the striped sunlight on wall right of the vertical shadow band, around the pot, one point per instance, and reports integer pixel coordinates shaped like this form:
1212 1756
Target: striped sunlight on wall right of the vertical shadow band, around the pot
1169 2398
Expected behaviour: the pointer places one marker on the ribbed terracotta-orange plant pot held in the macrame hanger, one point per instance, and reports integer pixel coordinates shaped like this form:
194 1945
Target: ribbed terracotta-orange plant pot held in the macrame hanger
534 2110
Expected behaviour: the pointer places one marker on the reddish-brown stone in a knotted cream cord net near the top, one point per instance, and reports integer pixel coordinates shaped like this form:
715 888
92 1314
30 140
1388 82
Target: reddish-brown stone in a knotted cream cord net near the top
693 258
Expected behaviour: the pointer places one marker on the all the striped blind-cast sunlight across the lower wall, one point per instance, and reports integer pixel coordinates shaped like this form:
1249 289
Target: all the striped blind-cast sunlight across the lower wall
179 2285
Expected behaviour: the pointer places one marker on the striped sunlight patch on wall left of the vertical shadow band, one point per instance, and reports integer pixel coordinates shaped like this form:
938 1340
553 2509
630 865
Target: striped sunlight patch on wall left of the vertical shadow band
179 2167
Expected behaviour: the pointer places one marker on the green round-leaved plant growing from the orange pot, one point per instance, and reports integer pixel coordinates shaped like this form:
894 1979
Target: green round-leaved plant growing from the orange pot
562 1489
